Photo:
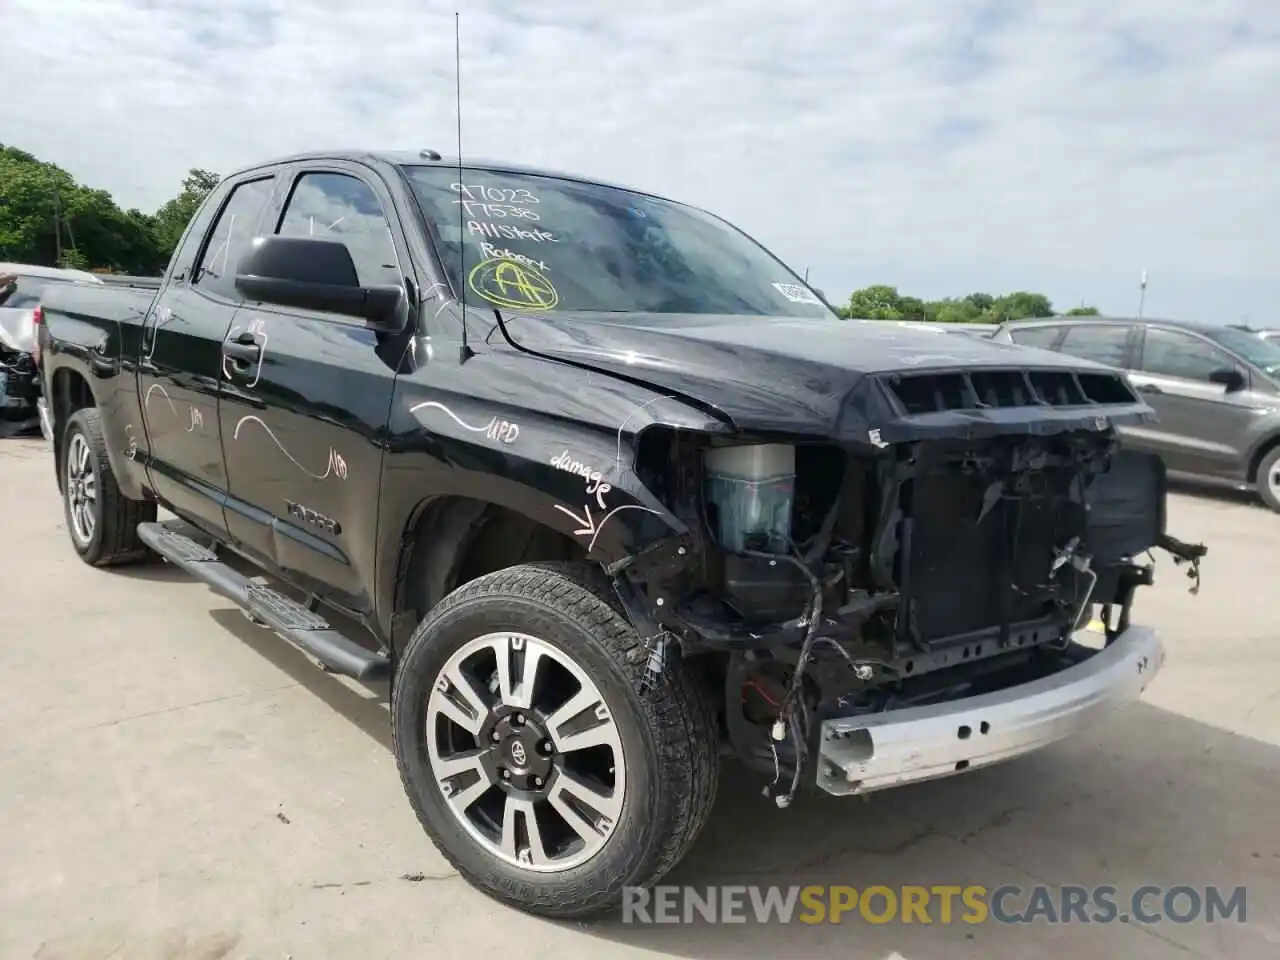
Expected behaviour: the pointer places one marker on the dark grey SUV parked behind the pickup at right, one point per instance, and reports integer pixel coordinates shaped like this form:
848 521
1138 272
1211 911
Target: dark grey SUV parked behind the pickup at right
1217 391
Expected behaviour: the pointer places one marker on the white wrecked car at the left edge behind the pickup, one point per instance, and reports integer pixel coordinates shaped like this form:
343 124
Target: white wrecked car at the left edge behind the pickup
21 289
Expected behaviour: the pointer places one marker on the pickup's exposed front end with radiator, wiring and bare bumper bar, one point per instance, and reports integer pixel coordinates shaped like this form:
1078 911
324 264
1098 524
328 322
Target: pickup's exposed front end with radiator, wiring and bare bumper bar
904 604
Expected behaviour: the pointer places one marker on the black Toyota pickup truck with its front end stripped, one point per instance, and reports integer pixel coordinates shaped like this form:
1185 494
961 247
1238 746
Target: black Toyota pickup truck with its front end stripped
609 492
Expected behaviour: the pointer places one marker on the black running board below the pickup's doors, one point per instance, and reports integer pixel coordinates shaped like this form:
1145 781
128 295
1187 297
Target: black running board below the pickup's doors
305 629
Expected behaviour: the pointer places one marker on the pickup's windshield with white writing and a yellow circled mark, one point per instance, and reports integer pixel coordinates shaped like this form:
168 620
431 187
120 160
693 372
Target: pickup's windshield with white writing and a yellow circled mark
531 243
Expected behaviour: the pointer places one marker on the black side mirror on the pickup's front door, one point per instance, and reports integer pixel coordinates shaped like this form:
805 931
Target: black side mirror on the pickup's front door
317 275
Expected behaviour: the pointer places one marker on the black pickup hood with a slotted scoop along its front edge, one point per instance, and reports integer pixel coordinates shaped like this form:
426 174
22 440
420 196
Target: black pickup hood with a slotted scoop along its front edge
868 382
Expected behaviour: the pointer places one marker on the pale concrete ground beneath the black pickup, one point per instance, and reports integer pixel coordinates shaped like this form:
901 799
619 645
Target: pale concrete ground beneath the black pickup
176 783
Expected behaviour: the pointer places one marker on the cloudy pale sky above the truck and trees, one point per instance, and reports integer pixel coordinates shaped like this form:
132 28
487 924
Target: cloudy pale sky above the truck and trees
944 147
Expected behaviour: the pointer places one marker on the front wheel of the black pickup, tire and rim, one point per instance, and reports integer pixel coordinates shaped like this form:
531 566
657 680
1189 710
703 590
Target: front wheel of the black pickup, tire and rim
531 757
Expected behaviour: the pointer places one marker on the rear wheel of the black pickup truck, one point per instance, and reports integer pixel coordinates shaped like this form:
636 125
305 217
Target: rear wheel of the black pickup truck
102 522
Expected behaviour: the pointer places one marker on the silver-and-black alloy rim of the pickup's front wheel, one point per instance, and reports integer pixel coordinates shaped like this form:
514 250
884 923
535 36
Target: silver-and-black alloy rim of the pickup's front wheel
525 752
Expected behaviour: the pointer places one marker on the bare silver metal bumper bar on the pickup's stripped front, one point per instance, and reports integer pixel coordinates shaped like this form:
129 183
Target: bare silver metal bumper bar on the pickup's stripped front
875 752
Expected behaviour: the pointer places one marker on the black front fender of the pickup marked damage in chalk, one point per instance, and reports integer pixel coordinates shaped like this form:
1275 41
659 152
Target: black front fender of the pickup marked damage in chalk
559 452
